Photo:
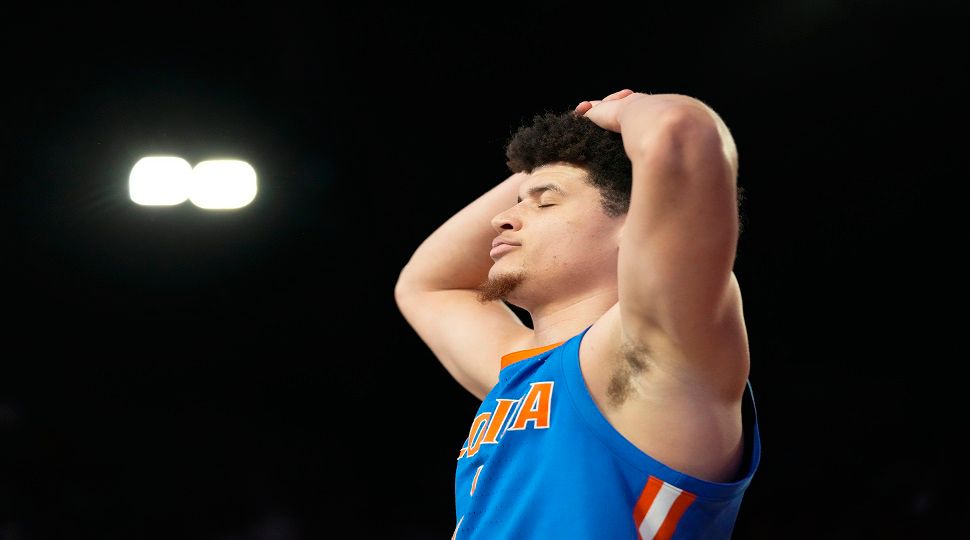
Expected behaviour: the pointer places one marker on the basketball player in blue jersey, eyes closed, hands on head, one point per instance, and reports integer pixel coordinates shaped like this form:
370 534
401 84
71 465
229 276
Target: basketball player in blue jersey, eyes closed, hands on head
624 412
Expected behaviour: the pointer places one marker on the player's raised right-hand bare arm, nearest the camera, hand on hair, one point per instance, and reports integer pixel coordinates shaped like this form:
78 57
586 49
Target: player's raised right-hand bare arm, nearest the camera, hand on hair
677 293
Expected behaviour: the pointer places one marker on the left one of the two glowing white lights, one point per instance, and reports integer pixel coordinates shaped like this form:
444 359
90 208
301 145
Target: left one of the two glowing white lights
160 181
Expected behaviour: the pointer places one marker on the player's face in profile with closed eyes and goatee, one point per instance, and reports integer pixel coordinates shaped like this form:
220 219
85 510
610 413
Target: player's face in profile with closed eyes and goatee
566 244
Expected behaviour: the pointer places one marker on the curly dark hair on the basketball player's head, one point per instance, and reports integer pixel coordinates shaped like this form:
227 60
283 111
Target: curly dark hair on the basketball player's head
569 138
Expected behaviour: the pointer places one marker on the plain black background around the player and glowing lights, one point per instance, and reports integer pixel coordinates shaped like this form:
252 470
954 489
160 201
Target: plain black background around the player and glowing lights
176 373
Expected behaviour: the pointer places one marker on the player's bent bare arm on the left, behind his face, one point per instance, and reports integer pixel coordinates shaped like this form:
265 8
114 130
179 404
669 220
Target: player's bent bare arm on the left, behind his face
436 293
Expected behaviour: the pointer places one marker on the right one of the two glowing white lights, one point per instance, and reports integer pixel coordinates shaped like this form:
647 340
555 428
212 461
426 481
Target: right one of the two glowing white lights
223 184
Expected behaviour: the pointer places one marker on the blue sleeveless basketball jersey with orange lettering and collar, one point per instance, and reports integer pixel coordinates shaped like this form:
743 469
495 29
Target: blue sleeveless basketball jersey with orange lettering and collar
542 462
